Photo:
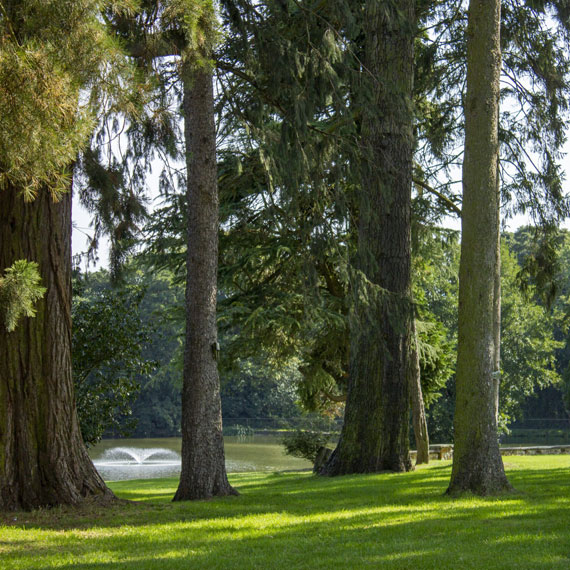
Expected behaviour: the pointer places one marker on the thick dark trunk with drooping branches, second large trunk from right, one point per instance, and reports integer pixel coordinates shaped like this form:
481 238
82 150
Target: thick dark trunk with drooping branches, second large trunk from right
374 436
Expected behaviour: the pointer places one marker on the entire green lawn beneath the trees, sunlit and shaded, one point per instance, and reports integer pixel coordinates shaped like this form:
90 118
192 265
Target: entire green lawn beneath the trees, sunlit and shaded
296 520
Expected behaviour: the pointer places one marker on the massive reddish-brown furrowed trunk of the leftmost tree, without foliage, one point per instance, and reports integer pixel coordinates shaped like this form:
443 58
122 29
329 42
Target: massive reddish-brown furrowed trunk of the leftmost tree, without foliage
43 461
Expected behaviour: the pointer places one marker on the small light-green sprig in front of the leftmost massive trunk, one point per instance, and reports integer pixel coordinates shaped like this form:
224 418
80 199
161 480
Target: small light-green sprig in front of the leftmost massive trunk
20 289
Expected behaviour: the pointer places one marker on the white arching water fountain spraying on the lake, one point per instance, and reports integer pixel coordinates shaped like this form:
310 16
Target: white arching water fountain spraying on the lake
121 463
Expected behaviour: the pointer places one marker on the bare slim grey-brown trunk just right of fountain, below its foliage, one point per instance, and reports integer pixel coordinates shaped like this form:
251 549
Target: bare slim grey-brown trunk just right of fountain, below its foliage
203 462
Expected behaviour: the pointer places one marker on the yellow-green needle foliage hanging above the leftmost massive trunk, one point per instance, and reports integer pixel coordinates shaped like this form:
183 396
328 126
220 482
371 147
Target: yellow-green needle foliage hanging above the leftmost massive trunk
44 120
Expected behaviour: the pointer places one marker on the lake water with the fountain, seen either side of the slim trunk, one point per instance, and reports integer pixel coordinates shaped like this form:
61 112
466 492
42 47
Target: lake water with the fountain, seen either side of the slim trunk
123 459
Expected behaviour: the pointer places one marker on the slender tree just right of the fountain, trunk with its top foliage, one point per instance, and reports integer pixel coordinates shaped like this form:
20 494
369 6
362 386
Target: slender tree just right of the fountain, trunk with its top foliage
185 30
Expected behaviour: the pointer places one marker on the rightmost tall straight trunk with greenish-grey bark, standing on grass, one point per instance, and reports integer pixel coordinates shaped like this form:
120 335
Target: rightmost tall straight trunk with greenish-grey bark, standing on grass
477 462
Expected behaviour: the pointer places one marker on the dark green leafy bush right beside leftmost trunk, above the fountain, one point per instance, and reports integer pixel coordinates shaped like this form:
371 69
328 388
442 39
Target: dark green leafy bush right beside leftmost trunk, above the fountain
108 361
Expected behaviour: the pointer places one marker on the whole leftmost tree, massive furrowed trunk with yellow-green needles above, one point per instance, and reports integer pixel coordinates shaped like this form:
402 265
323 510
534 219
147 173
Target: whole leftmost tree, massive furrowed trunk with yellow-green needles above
44 461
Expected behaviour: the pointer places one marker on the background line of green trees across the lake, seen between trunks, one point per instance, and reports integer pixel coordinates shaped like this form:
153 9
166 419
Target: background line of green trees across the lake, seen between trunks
271 381
